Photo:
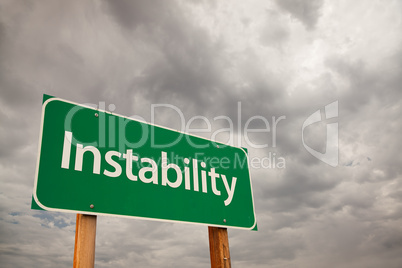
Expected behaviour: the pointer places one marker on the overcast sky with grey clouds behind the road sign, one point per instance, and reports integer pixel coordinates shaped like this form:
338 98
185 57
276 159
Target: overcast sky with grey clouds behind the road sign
285 58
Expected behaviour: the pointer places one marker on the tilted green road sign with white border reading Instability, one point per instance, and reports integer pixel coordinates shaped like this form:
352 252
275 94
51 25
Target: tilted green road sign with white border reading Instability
95 162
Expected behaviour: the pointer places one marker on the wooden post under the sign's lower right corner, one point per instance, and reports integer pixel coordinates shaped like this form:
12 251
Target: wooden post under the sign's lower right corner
219 247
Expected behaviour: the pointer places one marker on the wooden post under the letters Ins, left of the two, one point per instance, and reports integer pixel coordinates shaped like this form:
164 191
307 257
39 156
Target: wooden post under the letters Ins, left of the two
85 233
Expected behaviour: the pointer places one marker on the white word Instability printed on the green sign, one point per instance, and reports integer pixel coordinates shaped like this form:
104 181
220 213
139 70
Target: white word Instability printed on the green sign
152 169
